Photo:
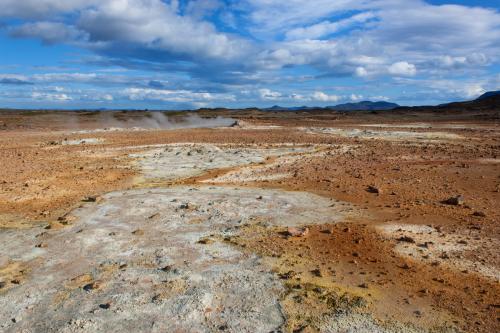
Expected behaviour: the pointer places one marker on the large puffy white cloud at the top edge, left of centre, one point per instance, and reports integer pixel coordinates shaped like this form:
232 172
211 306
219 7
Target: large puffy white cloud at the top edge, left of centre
154 26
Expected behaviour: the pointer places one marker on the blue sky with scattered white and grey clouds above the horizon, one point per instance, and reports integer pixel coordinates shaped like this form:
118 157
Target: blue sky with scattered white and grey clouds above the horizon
169 54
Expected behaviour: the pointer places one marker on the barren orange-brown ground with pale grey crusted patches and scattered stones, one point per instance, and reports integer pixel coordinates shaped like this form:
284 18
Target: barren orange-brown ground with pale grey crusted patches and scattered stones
270 225
